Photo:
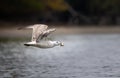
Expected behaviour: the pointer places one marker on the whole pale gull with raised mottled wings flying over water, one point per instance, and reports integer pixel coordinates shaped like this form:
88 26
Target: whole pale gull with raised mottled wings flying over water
39 36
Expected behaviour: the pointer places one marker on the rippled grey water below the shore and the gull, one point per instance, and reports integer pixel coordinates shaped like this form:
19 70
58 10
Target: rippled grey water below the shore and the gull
83 56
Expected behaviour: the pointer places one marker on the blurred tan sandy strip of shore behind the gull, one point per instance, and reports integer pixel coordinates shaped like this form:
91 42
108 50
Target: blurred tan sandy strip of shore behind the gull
13 32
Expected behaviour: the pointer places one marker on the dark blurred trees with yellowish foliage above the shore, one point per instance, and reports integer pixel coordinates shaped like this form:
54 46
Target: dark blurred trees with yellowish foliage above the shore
76 12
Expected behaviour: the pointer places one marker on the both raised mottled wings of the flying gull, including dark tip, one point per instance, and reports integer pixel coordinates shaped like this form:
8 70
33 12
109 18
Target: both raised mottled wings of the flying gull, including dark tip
39 31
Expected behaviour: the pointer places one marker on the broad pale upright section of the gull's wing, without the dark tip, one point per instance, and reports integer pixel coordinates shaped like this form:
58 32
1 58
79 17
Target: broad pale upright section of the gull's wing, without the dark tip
38 30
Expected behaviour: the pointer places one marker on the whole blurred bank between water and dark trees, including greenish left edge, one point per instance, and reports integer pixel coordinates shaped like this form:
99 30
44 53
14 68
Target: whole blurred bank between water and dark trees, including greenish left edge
10 32
